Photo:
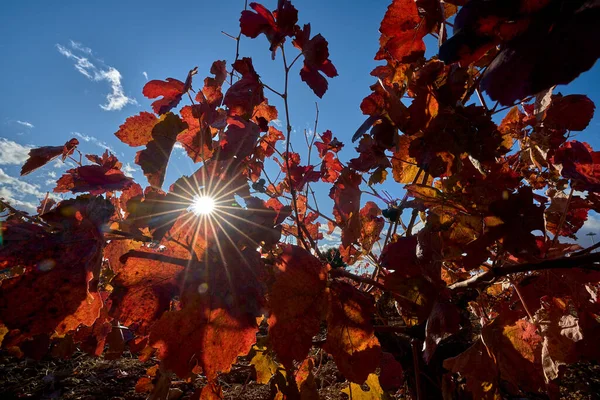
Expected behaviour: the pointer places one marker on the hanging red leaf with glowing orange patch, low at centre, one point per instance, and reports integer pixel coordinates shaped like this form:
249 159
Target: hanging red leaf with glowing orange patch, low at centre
350 335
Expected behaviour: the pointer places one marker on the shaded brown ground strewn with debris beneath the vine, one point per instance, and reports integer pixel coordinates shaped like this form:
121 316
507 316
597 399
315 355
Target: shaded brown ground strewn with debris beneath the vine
91 378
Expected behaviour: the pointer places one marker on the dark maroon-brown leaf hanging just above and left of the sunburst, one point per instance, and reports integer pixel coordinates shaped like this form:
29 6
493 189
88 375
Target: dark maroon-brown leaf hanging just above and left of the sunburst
154 158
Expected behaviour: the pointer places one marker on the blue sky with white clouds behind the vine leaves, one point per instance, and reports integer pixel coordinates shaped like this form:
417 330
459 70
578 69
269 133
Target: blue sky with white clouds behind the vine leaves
46 100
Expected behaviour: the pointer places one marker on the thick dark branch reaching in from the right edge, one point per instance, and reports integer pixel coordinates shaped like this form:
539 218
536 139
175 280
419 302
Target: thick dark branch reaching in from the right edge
585 261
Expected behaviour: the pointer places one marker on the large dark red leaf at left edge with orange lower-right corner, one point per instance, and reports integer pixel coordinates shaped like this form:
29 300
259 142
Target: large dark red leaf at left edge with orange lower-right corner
57 290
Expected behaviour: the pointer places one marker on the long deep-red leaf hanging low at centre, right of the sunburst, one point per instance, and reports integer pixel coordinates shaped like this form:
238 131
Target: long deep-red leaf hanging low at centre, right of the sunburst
296 301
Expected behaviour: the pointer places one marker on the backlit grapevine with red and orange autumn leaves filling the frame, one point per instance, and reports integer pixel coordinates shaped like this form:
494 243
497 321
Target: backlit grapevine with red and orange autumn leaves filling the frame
475 288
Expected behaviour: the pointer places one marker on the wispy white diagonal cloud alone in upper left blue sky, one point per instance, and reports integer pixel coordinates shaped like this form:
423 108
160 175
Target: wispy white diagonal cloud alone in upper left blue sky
115 100
